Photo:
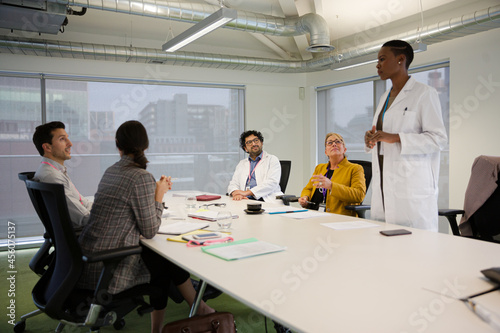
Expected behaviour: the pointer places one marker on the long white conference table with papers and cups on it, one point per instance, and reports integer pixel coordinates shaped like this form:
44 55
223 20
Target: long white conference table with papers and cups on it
350 280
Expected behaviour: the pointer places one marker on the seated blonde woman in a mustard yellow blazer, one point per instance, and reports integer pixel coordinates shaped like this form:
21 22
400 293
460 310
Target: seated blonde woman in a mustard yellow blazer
337 183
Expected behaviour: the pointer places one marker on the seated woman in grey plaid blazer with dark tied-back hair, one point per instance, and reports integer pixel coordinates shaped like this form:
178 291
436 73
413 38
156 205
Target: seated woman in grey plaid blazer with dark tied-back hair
127 205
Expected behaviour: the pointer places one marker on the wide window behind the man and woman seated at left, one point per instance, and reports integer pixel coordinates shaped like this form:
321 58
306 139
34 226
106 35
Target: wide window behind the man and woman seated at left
193 133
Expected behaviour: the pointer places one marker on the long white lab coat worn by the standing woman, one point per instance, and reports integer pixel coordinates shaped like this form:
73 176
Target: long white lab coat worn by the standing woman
411 167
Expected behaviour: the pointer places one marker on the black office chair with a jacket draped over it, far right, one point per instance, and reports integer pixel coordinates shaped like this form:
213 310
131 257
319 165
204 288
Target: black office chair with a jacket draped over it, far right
482 214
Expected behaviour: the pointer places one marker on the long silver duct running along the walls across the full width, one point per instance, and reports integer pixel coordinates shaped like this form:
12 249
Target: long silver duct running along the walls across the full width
472 23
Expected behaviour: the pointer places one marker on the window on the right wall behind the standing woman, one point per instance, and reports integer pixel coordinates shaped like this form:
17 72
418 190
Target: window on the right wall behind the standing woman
348 109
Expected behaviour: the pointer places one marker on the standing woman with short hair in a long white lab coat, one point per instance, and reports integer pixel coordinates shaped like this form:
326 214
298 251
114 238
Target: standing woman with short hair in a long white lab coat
406 138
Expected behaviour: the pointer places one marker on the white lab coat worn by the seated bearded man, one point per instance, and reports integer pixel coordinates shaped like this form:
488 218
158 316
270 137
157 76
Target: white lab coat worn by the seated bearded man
267 175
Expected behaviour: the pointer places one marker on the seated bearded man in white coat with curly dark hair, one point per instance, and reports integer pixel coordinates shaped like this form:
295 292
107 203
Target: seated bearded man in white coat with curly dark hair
258 176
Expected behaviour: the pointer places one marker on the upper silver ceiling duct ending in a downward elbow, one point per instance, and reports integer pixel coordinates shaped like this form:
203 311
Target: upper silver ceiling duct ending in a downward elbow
310 23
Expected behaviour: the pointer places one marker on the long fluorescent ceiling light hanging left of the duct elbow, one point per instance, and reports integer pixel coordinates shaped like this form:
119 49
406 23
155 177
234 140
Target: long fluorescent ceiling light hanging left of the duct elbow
220 17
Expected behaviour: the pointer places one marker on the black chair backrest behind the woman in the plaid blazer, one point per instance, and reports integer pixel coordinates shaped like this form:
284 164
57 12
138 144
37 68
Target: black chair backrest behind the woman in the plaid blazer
55 287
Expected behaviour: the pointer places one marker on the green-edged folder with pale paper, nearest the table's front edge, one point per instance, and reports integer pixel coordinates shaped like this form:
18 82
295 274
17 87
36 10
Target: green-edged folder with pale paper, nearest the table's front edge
242 249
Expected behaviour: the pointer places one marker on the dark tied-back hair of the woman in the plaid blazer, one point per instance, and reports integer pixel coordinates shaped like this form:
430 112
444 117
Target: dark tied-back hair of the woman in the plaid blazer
132 138
